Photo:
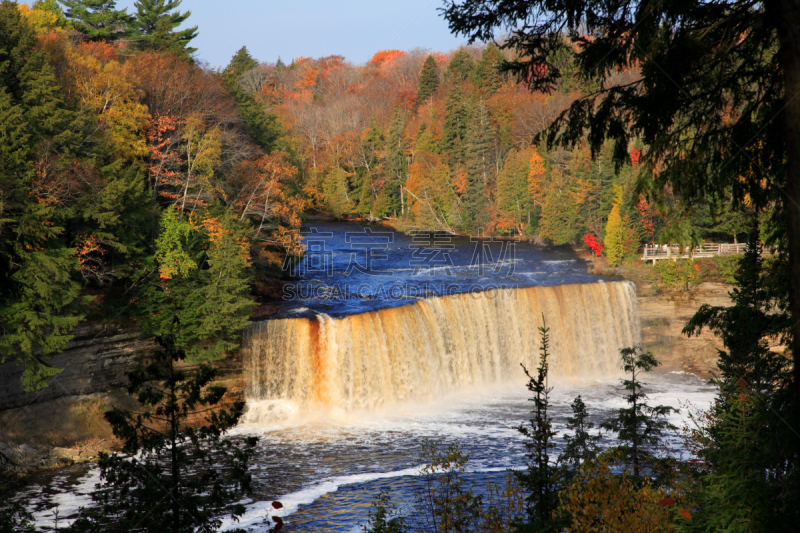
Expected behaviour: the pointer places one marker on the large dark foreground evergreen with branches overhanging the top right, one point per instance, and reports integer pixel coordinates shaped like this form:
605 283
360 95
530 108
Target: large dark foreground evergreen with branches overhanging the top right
727 72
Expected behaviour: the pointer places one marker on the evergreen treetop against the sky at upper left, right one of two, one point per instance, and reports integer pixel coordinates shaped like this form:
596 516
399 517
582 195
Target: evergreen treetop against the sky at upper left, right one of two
156 21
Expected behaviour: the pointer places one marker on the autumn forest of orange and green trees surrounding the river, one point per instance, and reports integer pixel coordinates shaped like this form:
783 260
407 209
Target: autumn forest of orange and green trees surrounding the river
139 185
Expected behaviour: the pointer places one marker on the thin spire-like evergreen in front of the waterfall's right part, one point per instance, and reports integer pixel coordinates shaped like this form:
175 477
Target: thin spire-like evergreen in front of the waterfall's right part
541 478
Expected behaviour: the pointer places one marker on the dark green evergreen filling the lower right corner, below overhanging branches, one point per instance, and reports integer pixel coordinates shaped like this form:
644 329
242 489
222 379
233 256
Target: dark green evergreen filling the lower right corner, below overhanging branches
747 480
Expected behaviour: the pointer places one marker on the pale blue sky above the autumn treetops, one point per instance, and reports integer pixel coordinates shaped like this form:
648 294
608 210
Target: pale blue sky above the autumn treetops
313 28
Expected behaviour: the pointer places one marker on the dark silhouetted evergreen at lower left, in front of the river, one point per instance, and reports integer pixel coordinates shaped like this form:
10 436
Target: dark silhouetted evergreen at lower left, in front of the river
172 473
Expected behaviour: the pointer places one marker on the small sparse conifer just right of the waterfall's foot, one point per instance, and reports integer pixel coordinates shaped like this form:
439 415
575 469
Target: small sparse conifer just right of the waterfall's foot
639 427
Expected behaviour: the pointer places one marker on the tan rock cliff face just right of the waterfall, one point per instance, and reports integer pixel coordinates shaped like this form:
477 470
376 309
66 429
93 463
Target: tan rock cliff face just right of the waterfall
663 318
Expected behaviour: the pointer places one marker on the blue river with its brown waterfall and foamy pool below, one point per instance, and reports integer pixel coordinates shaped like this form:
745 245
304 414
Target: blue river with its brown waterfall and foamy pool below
387 340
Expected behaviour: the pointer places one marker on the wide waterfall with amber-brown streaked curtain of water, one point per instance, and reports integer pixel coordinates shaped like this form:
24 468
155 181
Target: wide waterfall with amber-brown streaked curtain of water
421 351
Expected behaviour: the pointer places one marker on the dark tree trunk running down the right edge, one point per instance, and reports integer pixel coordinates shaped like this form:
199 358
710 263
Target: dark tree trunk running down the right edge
786 17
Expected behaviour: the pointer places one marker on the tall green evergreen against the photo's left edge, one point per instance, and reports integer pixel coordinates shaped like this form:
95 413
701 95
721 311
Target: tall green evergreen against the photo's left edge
39 303
